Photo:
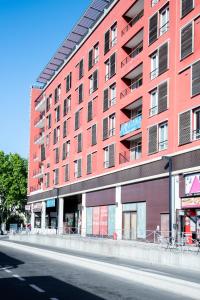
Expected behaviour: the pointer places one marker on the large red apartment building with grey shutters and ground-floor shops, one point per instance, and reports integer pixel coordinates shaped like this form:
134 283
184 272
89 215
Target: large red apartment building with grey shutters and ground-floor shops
115 123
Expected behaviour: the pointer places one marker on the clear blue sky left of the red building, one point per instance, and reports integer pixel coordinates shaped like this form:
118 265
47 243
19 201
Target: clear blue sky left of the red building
30 33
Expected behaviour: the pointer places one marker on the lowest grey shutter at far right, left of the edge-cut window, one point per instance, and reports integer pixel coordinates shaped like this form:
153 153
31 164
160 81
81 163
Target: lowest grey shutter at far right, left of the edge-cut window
185 128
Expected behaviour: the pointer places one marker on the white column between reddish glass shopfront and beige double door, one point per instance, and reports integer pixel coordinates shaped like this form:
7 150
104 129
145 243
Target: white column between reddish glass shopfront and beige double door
118 214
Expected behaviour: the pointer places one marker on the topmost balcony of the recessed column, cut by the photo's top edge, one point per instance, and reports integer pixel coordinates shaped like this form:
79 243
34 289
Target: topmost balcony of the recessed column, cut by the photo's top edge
133 15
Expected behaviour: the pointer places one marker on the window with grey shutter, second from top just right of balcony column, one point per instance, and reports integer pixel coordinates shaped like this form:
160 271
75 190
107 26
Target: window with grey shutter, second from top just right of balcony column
159 61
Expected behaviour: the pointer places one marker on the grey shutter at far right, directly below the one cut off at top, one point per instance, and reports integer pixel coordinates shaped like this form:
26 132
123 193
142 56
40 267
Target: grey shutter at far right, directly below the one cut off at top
186 40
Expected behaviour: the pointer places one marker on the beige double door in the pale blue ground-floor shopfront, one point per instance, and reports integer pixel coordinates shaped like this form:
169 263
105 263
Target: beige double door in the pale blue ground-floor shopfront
130 225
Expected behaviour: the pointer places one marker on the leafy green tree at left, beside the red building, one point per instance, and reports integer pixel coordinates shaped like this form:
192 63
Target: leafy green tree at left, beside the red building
13 184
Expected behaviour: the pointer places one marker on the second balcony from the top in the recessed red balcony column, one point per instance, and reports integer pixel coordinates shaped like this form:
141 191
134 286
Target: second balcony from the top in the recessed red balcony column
133 48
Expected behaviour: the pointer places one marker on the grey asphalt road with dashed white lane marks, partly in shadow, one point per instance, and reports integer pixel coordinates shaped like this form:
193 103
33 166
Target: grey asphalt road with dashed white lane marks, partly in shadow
27 276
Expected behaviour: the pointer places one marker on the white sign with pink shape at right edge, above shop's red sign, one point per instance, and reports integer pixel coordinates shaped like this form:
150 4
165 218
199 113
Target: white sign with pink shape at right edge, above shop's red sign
192 184
